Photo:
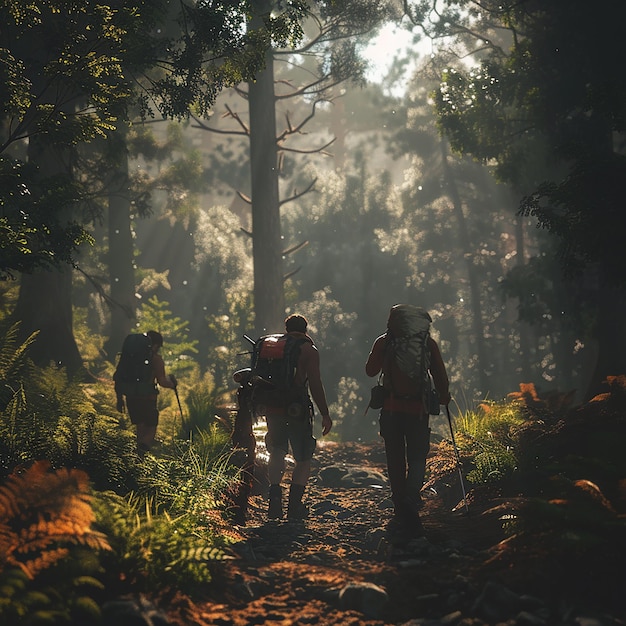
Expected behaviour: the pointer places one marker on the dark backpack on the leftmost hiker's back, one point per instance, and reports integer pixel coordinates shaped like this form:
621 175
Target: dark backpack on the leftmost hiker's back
134 375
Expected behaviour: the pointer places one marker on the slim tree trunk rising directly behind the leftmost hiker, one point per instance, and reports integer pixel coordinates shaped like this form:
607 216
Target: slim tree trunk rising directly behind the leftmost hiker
121 273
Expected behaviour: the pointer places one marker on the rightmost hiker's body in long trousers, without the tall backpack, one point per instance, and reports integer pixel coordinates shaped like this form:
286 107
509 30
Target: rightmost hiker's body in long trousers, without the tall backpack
404 423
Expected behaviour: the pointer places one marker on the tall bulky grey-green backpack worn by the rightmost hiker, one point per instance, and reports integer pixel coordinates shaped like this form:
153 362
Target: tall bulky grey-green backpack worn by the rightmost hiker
407 342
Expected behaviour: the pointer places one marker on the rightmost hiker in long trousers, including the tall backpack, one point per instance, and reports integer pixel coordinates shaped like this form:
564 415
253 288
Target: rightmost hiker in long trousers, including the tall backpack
404 417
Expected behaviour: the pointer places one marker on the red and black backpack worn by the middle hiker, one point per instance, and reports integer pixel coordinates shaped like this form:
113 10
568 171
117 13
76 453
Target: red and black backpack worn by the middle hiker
273 367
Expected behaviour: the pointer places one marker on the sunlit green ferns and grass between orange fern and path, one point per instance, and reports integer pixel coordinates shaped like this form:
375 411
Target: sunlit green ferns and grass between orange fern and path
169 533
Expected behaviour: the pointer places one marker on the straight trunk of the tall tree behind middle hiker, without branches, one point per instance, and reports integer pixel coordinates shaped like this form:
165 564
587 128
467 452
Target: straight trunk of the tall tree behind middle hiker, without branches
269 299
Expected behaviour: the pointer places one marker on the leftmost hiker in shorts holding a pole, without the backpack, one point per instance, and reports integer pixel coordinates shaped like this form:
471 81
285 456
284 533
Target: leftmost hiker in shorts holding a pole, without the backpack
142 409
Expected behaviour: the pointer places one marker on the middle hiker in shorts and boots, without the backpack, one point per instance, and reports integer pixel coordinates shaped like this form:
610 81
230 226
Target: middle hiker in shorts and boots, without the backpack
286 425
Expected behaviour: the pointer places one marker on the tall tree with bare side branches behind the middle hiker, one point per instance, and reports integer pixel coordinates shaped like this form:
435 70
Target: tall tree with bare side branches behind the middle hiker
326 57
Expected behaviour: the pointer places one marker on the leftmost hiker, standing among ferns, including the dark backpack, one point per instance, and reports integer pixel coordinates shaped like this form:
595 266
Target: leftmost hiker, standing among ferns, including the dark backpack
139 370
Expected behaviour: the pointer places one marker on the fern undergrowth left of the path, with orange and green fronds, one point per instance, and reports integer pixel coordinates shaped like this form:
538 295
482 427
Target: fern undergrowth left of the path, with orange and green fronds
84 519
